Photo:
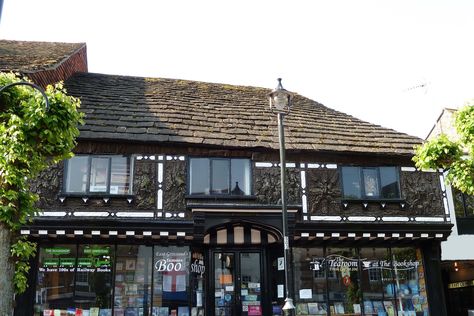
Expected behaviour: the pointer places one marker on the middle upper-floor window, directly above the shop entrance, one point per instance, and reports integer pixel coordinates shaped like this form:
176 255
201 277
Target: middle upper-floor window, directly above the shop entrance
219 176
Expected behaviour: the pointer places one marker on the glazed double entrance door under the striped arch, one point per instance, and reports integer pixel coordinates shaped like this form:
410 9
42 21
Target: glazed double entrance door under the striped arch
238 283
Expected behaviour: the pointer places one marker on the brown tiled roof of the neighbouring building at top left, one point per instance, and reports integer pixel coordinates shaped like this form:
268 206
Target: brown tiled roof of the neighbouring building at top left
29 57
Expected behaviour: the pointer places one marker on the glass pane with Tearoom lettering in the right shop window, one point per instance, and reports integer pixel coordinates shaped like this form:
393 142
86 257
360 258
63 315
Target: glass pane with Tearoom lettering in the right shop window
344 290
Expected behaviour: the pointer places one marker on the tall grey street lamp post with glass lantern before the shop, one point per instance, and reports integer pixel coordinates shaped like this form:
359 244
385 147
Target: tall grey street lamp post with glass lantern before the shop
280 103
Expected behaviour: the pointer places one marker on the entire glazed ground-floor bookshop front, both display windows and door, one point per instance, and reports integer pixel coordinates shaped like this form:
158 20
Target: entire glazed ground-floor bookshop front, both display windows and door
122 279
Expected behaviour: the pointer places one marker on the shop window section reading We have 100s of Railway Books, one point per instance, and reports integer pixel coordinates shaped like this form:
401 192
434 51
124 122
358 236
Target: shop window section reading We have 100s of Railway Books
74 282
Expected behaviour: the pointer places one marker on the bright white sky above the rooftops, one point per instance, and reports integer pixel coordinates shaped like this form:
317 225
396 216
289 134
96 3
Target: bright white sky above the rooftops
360 57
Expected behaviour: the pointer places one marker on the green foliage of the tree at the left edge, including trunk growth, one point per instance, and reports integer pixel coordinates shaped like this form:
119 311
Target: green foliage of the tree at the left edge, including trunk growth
31 138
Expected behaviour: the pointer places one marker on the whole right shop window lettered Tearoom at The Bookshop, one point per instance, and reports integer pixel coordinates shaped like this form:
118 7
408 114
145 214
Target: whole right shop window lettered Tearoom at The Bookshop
397 287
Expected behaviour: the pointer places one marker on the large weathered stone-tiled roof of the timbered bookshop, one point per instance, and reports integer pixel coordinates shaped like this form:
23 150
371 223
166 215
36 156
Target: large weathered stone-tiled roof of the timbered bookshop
179 111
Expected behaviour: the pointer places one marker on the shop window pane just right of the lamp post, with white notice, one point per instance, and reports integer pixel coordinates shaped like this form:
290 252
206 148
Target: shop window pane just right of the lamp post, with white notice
310 278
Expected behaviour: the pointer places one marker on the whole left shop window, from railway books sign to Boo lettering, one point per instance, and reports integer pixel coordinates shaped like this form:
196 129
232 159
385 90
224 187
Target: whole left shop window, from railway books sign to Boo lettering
116 280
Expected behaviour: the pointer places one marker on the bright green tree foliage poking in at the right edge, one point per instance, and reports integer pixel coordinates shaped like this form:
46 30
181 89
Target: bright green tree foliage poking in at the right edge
455 156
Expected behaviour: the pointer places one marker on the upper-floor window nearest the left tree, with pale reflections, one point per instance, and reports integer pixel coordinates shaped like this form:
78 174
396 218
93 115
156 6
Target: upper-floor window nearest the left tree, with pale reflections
98 174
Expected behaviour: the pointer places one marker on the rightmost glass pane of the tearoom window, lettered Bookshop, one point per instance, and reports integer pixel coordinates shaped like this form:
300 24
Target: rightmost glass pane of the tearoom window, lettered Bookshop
411 296
